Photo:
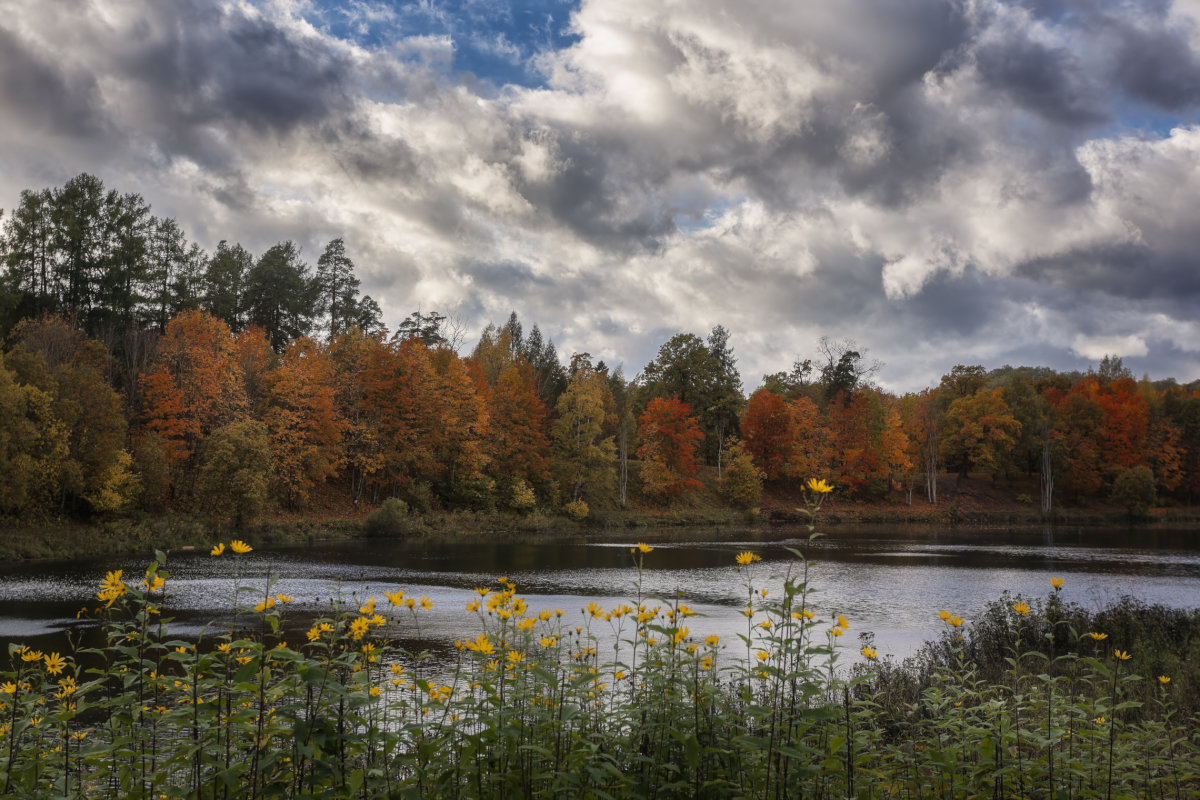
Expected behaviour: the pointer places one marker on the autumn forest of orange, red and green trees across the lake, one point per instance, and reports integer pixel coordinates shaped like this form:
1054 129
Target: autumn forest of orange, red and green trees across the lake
141 374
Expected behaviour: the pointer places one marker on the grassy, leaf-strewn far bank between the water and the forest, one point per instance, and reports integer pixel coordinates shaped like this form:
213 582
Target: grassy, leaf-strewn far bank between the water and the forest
976 502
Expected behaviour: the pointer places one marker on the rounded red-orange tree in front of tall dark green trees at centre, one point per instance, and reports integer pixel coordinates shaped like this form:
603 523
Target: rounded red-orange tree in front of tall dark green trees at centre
670 437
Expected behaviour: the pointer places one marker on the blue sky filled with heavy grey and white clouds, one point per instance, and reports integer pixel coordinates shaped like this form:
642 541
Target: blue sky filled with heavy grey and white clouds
943 182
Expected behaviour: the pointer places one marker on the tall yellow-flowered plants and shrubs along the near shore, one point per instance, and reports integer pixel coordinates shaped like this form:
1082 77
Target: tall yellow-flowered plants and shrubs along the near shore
1035 699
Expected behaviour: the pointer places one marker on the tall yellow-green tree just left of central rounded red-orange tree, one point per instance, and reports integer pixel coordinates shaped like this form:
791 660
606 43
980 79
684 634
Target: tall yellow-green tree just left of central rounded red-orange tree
583 458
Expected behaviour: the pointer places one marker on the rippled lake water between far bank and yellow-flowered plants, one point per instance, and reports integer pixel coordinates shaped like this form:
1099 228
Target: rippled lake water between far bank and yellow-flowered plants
891 584
